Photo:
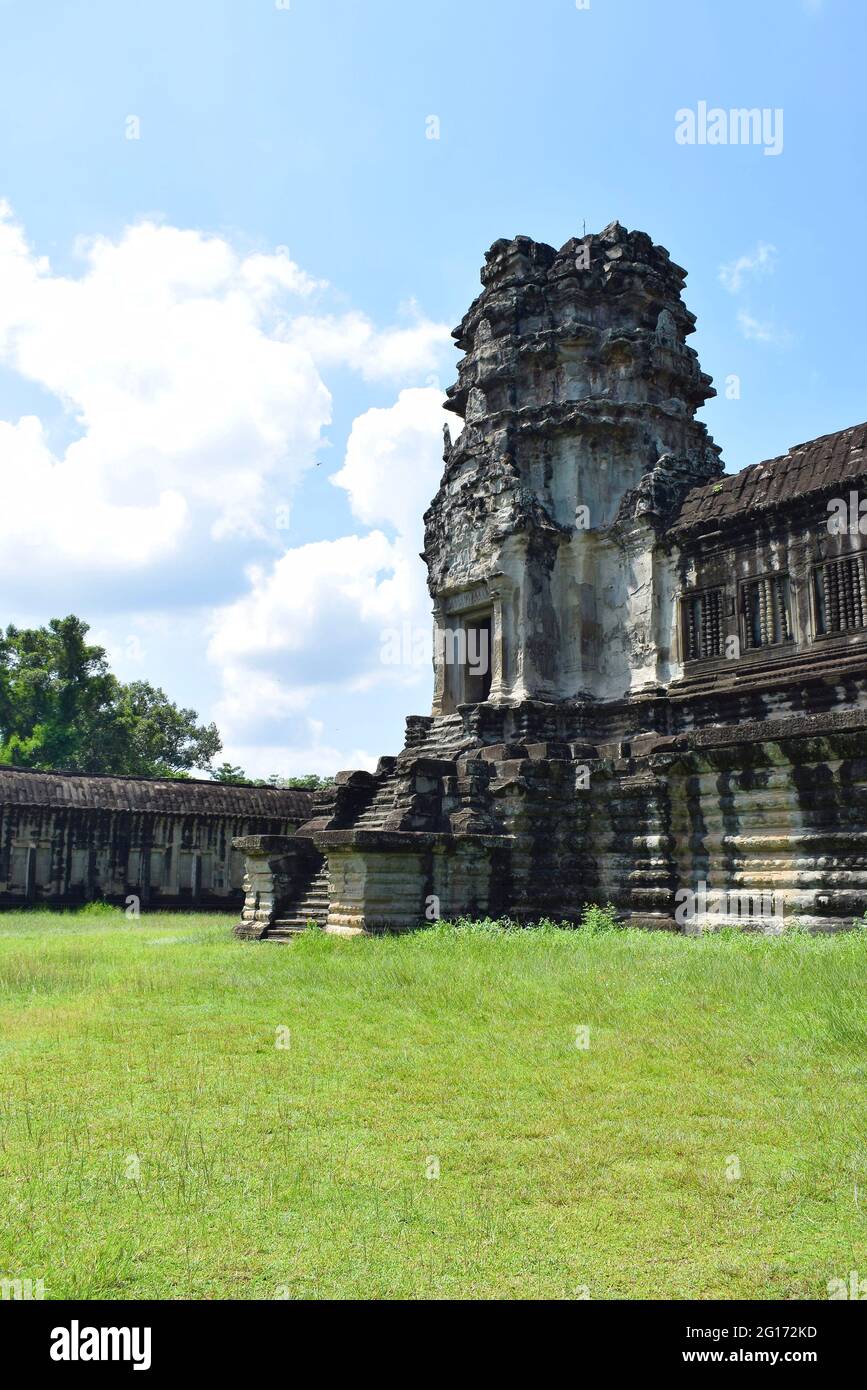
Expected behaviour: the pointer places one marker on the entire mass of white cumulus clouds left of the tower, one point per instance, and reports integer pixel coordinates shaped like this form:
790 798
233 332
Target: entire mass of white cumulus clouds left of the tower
191 379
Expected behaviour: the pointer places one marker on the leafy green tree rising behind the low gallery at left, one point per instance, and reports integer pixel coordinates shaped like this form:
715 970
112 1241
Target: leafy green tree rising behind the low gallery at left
62 707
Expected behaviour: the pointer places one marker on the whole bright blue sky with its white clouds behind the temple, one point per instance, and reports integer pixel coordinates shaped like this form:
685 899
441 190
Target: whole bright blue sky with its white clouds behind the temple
340 244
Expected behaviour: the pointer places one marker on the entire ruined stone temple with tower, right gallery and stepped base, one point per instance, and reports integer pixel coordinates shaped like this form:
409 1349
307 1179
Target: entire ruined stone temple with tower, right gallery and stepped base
651 678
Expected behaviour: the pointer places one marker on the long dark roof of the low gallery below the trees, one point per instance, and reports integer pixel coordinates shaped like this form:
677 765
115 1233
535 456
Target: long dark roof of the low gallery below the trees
163 796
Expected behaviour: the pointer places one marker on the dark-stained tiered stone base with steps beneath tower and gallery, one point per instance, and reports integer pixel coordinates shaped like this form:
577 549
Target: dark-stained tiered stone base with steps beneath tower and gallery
759 824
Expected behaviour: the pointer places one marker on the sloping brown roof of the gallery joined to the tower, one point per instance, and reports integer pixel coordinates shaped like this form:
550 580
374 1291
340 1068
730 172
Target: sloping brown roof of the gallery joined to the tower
836 461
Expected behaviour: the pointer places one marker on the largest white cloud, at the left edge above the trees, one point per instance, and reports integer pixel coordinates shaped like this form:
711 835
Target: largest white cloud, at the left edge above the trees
194 387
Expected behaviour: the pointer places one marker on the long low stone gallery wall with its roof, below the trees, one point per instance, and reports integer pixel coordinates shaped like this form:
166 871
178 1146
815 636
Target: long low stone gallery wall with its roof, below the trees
69 839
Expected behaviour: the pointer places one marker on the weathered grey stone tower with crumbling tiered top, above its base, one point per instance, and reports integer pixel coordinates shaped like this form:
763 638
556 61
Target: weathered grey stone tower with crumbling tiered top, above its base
579 395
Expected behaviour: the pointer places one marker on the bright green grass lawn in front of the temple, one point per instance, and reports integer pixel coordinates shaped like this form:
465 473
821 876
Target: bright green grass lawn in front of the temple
156 1142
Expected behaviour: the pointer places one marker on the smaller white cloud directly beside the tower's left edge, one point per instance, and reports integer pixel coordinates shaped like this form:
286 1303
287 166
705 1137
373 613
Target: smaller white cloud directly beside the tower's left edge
319 618
